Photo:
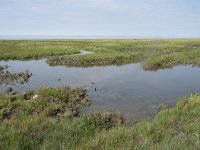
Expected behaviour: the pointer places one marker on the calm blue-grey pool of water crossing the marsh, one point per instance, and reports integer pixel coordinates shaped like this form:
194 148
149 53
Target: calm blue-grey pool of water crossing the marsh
127 89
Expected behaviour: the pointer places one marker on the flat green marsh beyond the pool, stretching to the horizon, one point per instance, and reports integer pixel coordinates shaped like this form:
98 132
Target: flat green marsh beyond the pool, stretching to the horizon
154 54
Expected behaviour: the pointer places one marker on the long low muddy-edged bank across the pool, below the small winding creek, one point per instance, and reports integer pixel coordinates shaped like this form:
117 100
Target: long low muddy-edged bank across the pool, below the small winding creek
91 60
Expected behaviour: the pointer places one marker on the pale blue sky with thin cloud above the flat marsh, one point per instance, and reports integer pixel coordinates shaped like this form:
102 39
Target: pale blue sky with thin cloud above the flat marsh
117 18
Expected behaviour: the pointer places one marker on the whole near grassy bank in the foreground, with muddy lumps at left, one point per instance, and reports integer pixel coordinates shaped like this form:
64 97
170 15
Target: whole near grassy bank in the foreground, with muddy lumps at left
34 124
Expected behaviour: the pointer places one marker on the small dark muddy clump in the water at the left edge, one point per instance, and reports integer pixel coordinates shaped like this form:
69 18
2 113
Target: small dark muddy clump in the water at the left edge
6 77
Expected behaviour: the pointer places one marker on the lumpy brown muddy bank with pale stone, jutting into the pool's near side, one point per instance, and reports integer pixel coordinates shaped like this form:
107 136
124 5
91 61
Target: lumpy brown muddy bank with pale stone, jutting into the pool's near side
48 102
